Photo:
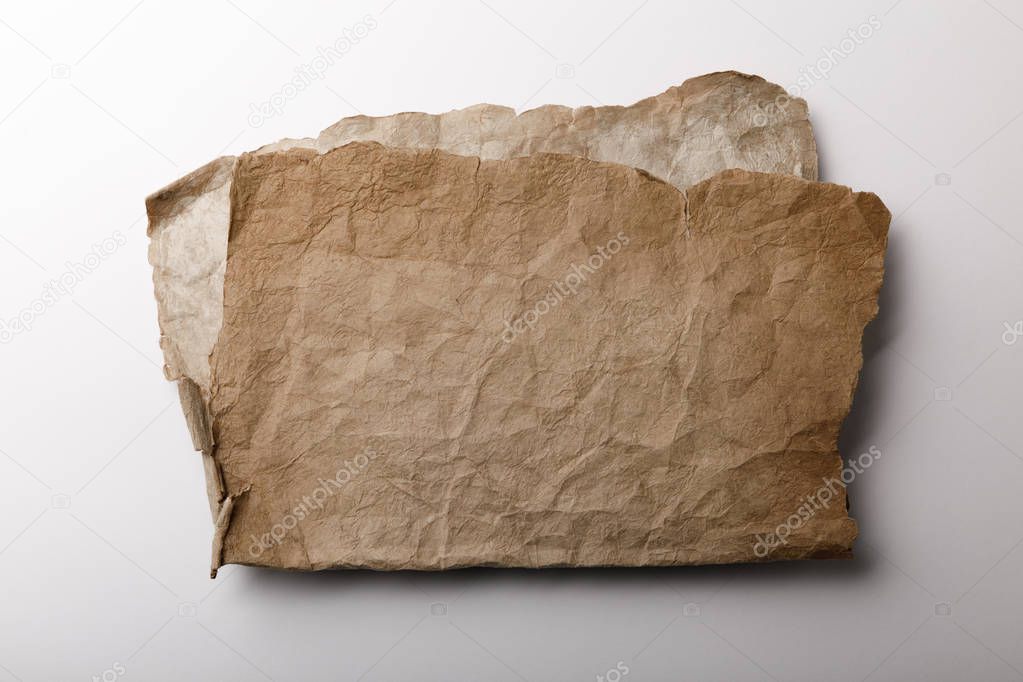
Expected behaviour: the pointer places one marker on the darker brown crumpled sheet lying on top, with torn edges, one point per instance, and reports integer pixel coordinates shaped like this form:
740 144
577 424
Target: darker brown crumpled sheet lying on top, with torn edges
430 361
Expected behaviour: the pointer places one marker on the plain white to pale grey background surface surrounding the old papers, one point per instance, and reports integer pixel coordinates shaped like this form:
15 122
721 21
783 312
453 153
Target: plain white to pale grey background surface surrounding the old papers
105 532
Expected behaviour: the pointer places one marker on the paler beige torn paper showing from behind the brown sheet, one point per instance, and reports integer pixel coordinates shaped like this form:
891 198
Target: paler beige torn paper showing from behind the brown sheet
684 135
